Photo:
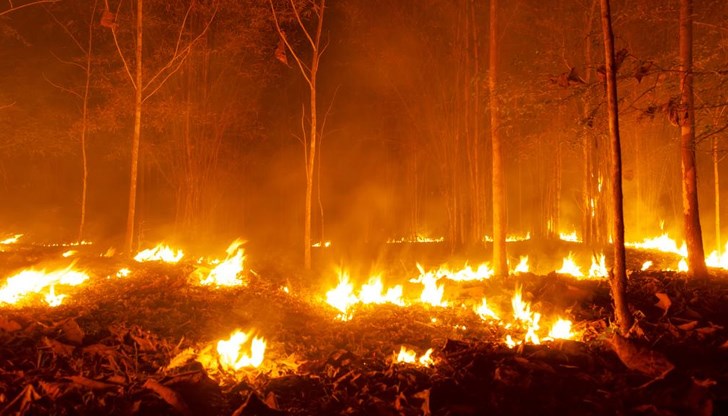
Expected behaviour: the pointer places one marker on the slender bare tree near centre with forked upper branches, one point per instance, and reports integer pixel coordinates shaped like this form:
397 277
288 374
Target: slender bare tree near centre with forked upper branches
309 72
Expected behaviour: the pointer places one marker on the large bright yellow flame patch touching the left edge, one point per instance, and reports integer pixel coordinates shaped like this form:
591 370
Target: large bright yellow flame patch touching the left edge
29 282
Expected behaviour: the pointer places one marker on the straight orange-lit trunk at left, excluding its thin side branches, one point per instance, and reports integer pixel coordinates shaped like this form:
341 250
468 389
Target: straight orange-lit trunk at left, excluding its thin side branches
131 213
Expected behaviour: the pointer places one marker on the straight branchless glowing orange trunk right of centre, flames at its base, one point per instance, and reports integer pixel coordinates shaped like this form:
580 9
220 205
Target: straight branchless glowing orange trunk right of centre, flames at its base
500 257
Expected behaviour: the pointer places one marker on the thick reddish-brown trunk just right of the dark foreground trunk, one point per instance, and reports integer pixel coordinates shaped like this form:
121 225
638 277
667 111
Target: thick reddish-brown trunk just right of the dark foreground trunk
691 214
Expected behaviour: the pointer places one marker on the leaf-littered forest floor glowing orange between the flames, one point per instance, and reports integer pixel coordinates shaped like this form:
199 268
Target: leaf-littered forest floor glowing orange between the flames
131 345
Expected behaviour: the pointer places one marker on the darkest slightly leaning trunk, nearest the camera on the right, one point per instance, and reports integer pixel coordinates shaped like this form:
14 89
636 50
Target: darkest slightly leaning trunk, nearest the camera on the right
619 275
